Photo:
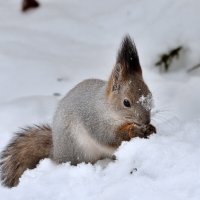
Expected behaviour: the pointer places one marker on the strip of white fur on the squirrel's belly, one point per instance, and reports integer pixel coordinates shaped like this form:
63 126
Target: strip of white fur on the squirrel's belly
90 147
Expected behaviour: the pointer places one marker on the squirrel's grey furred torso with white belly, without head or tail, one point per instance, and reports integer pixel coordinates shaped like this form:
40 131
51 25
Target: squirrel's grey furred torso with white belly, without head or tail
80 126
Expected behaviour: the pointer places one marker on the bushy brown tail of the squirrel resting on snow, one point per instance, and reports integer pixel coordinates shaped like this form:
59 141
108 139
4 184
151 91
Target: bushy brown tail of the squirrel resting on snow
25 151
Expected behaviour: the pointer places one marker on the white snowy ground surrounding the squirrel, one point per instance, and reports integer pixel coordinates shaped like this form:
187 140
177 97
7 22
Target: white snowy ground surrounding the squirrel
51 49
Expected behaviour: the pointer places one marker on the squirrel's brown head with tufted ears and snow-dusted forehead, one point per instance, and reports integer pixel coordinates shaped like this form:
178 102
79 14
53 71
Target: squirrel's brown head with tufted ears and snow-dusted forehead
127 92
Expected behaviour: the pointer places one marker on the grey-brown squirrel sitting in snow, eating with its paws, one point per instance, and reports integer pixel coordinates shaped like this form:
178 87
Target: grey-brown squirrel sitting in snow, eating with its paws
90 122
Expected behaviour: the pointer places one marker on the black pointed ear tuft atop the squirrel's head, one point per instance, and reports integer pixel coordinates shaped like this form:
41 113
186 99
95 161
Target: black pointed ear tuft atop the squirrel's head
128 57
